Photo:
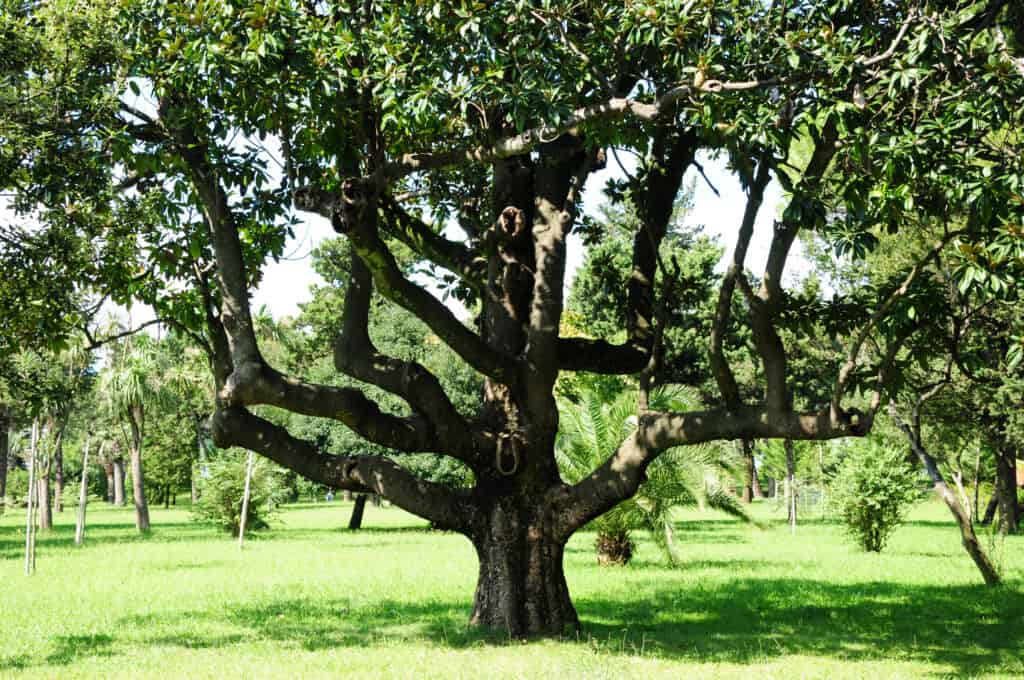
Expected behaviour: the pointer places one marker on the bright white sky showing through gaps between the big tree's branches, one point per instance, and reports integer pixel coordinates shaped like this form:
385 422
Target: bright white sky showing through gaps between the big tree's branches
286 284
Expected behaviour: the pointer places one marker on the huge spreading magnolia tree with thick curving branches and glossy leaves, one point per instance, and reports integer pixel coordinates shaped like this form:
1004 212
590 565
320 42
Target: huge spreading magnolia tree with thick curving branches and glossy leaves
465 134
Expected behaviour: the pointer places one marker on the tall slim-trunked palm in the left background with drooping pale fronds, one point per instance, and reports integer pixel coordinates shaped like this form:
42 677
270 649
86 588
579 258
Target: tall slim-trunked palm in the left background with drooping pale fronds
130 388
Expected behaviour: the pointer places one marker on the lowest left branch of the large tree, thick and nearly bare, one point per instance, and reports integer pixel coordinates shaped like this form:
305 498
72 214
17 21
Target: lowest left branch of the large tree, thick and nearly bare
445 507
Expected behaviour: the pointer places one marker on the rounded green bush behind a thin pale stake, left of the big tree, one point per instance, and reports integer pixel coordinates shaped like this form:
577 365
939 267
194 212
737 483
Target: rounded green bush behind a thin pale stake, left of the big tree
223 486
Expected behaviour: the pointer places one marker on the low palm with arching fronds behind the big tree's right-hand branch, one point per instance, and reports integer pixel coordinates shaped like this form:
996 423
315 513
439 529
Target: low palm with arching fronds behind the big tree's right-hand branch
593 429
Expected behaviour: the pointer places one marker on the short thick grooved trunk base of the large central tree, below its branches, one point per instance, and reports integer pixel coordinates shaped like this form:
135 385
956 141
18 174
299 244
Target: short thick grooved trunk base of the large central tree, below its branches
522 588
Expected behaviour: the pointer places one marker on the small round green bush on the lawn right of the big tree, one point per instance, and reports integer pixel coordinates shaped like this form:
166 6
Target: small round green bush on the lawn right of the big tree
873 492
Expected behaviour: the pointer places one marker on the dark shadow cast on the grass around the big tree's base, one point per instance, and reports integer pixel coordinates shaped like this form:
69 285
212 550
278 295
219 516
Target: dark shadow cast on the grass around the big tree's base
969 630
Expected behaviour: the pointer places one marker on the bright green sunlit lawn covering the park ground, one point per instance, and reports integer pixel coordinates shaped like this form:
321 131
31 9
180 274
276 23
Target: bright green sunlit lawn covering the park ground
312 600
